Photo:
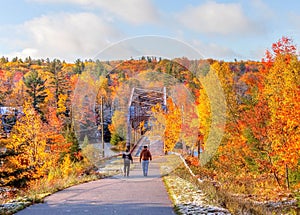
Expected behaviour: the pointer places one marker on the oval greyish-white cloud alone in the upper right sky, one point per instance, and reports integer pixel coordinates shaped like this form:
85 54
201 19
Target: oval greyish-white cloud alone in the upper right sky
217 18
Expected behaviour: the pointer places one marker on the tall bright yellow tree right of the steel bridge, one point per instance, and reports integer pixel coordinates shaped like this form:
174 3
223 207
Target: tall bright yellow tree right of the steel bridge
217 83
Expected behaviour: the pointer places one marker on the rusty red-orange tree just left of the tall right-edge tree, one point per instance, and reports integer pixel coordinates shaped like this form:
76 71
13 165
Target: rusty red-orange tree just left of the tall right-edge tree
253 125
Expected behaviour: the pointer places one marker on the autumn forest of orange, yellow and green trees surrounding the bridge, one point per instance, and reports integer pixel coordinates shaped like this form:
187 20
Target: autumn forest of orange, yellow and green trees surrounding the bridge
50 112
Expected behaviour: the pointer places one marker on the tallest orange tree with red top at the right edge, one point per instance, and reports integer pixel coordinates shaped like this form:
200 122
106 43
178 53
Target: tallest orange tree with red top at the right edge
282 91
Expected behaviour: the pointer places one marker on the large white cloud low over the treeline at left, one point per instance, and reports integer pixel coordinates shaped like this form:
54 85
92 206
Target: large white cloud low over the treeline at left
66 36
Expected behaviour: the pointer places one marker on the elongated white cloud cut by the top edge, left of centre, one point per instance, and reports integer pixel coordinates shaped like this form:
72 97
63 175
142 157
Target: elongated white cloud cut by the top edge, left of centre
133 11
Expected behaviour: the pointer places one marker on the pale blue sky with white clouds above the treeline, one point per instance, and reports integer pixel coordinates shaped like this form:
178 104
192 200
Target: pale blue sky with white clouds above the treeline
79 29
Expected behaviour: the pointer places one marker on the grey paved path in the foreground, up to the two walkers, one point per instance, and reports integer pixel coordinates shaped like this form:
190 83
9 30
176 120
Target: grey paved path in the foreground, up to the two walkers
136 195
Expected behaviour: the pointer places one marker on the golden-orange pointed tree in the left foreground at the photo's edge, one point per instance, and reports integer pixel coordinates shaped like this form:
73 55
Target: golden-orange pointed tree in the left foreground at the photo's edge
27 150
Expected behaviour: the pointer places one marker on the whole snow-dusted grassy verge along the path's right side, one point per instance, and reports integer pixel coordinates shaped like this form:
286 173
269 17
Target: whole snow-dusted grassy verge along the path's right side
205 192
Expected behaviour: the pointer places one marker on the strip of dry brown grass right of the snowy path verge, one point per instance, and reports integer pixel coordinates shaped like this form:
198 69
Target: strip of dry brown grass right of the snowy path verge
236 204
